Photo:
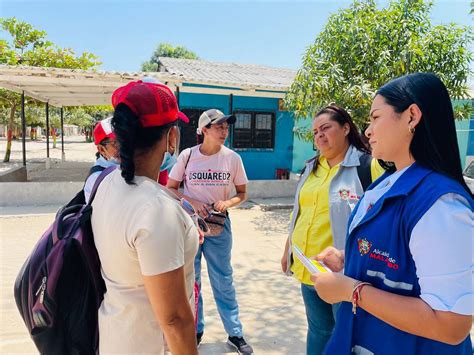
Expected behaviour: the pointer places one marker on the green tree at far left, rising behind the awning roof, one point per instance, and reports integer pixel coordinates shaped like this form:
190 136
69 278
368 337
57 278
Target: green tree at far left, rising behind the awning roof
29 46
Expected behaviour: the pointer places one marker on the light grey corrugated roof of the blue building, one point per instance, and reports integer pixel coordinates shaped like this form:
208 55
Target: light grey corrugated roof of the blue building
246 76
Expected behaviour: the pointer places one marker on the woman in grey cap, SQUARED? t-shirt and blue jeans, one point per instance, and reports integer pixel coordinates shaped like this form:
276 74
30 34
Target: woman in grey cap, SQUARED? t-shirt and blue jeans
210 172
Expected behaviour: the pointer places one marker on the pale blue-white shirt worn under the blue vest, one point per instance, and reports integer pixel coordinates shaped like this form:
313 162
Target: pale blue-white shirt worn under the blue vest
441 246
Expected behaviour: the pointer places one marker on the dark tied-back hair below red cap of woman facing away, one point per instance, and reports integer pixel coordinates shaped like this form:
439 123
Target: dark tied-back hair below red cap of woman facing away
133 138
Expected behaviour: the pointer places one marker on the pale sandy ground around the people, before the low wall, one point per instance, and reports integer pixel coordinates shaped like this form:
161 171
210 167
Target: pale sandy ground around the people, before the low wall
271 308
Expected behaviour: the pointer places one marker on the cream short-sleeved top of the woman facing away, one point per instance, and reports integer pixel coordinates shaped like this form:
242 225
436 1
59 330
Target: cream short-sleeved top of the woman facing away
138 230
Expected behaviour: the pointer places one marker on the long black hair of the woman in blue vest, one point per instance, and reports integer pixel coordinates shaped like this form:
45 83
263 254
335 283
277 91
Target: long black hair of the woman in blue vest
434 144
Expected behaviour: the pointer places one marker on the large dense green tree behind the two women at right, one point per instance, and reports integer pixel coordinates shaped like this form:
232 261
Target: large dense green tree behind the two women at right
363 47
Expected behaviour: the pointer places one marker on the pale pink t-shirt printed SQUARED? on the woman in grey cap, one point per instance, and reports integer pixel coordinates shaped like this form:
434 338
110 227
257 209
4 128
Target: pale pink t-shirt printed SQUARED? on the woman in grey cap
209 178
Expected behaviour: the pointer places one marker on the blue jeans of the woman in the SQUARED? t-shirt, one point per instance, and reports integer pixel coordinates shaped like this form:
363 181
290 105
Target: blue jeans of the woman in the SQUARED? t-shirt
217 251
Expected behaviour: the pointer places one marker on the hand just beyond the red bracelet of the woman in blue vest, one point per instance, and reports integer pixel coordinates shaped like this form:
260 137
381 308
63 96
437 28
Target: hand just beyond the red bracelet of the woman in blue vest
333 287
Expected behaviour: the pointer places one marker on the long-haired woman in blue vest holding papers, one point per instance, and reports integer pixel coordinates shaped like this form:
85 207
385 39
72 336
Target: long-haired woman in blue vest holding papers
407 282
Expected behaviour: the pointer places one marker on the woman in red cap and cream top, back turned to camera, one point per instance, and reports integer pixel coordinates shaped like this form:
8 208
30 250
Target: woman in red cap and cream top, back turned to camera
145 240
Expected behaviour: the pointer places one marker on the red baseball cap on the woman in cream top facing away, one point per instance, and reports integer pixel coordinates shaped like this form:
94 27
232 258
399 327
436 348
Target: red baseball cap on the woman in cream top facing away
153 103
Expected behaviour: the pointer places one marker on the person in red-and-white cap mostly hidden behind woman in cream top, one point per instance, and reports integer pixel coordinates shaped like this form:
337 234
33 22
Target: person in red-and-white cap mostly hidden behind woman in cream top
107 153
